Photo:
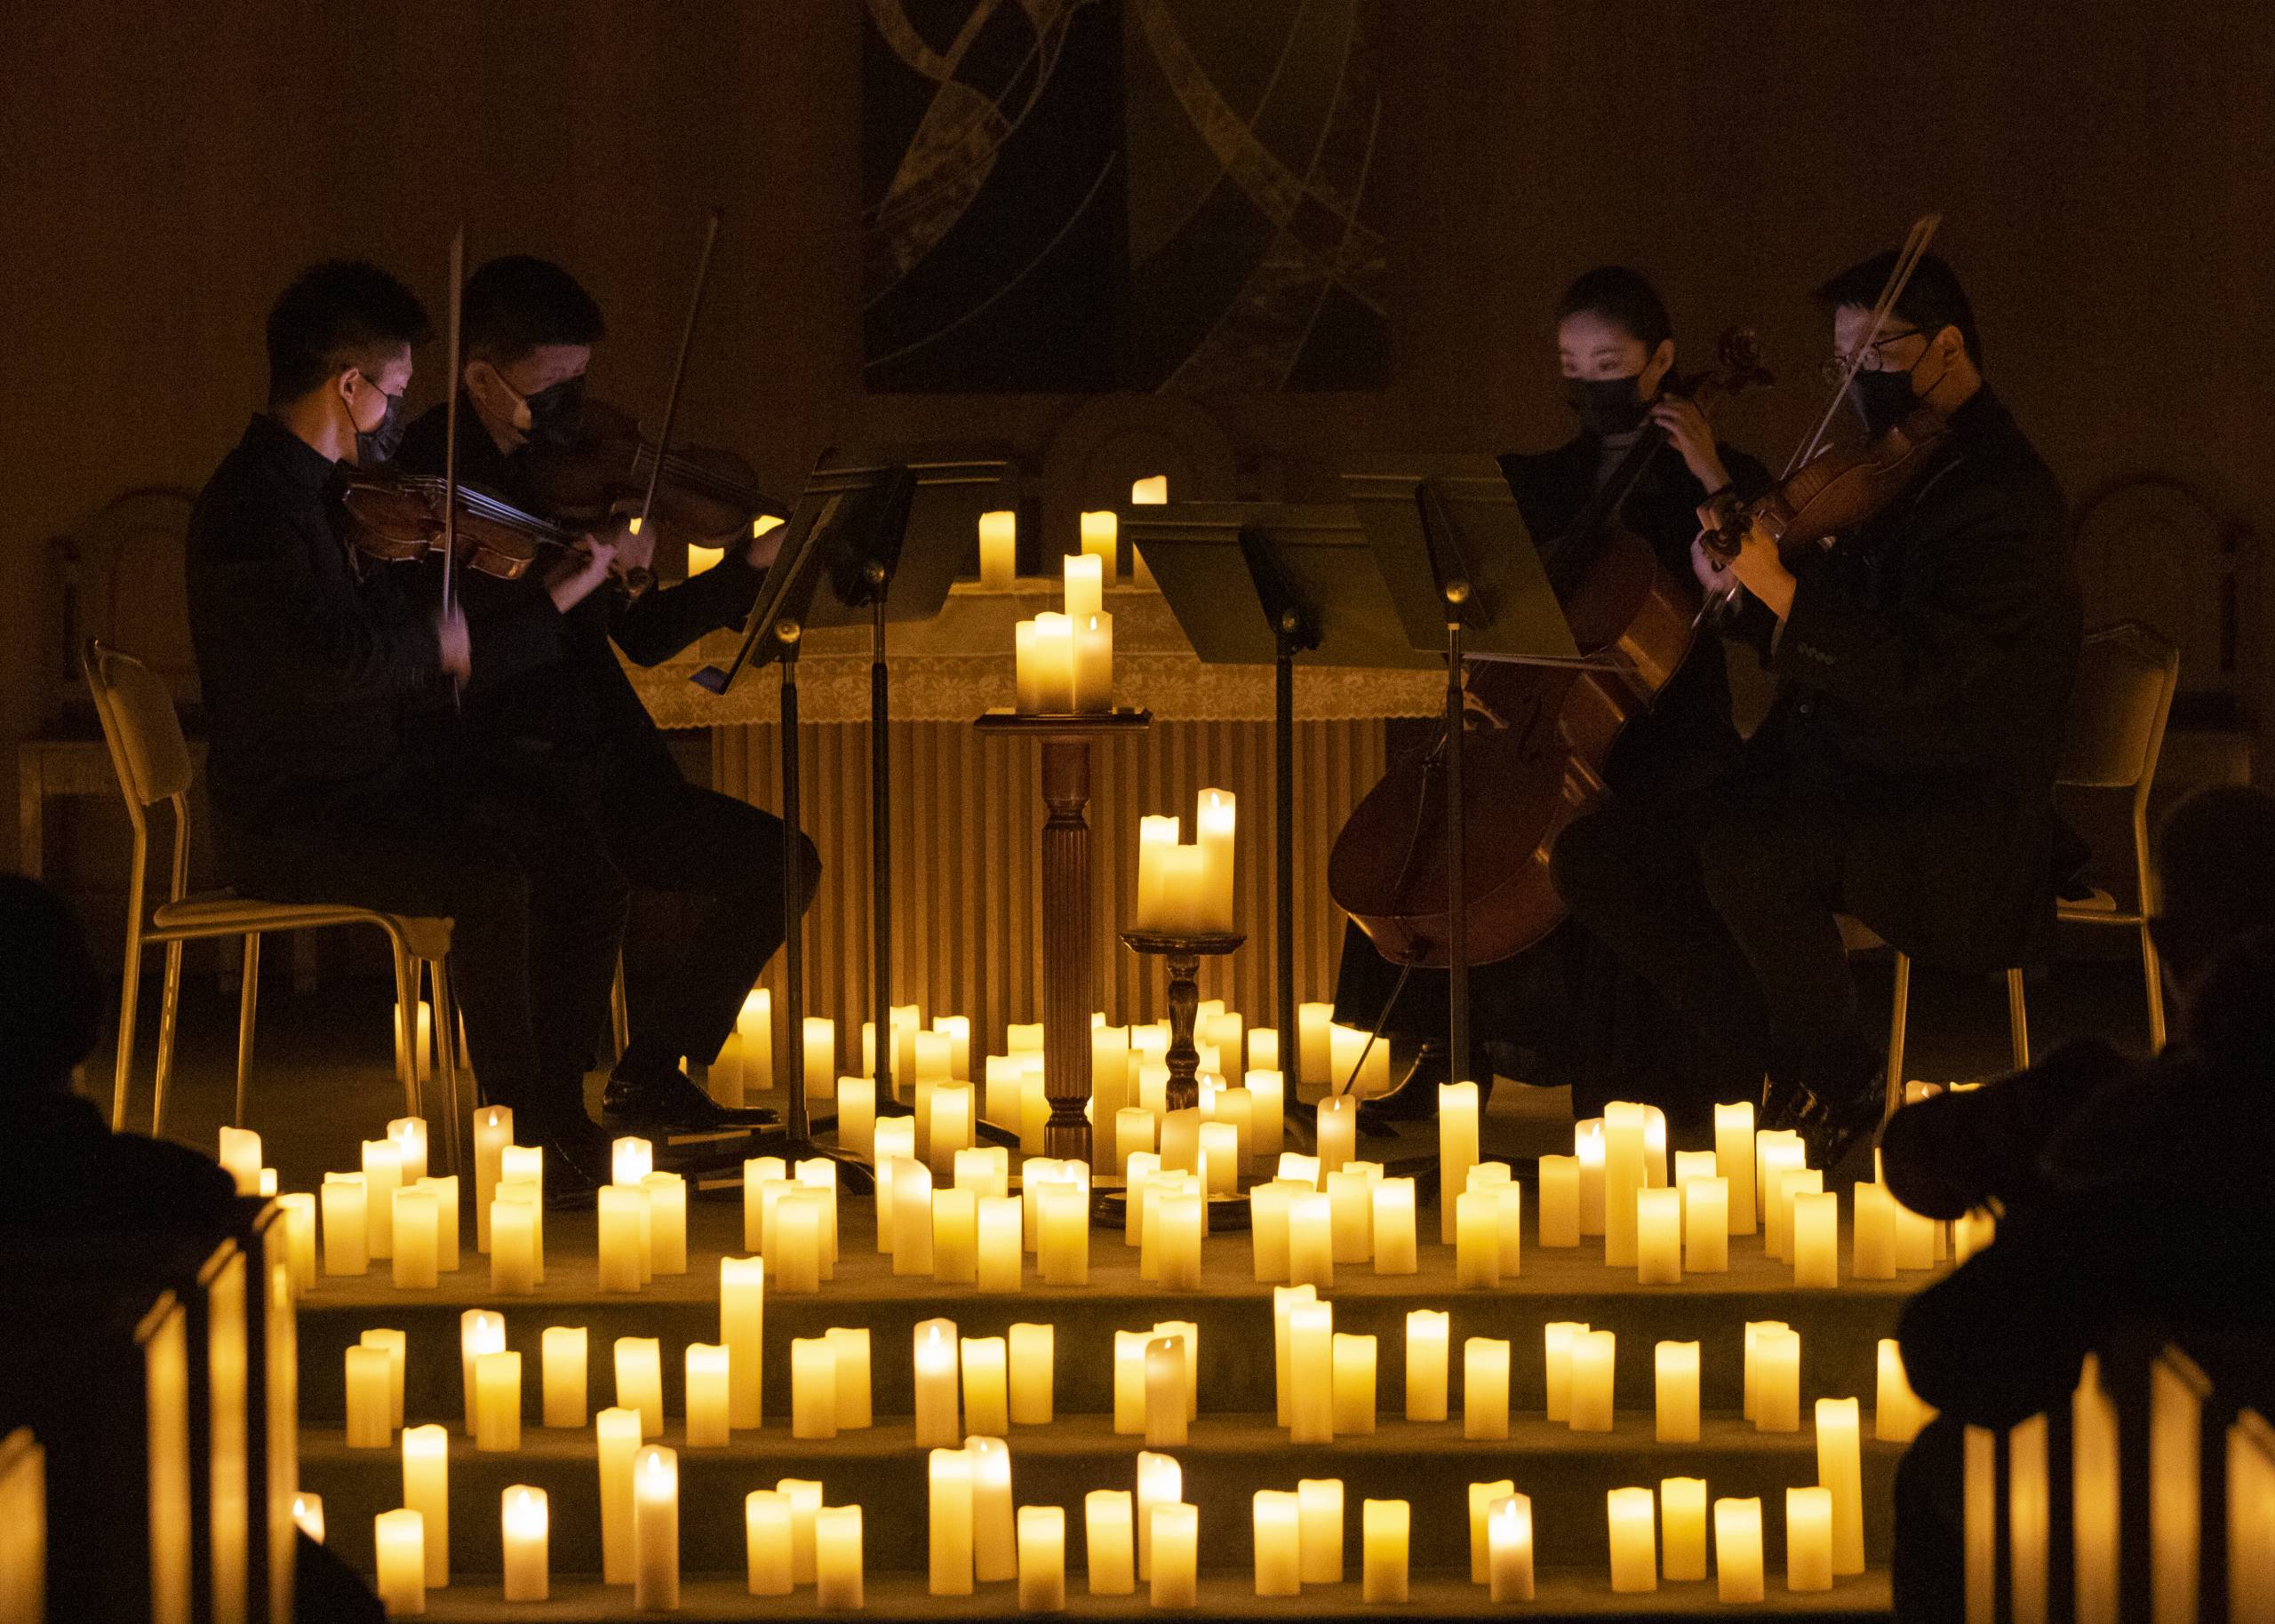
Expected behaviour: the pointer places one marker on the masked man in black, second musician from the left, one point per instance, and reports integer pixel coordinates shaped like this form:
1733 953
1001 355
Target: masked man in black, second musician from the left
559 729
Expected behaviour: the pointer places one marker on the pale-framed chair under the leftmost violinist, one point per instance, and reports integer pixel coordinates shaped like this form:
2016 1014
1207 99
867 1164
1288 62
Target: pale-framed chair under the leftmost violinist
151 761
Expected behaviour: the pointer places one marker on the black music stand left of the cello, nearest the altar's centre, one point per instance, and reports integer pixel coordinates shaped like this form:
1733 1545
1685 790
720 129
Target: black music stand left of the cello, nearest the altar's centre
1321 593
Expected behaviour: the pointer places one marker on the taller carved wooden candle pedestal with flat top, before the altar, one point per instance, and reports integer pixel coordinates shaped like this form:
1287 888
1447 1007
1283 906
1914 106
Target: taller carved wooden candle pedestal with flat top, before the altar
1070 979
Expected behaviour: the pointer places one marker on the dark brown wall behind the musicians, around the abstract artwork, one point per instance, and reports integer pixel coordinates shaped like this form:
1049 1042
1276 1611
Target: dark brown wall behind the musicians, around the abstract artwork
2103 169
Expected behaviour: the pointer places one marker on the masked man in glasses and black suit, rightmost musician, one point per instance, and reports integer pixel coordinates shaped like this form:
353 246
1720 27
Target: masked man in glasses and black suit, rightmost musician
1905 772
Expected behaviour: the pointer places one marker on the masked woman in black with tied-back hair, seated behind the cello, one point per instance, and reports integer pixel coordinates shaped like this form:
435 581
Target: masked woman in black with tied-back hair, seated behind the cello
1564 1013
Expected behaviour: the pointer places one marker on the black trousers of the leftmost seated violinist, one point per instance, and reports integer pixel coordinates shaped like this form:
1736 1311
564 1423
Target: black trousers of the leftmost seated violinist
536 906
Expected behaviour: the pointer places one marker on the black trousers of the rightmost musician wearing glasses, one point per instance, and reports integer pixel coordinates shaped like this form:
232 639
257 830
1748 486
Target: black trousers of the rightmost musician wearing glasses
1726 902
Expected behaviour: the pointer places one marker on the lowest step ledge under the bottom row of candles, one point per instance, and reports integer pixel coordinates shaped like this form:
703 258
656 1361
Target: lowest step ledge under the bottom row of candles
1225 1596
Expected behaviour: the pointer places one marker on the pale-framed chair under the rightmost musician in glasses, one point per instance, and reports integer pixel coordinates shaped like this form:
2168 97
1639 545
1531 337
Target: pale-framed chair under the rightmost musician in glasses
2119 711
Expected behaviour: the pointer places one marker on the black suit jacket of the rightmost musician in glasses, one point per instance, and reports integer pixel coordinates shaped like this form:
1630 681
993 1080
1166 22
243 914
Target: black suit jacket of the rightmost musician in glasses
1926 674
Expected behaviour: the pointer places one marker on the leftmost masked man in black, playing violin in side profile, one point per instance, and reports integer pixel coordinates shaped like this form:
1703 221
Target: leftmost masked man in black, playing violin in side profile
311 658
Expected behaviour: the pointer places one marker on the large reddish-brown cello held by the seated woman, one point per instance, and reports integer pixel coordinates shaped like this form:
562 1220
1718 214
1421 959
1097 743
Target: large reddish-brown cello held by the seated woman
1539 738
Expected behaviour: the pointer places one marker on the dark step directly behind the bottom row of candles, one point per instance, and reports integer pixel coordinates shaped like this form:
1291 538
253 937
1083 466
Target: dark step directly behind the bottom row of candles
1227 1459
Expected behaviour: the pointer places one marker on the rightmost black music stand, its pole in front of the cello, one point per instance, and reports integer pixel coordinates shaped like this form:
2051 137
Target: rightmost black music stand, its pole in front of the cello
1464 577
